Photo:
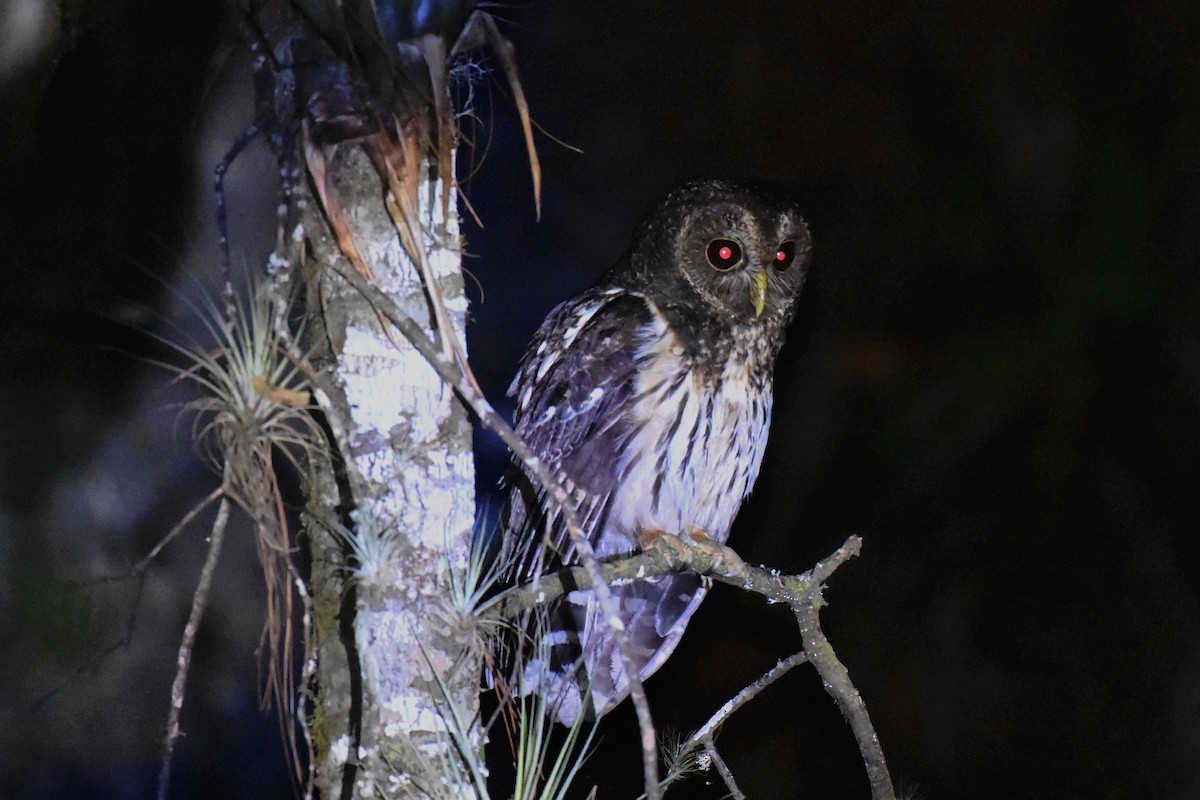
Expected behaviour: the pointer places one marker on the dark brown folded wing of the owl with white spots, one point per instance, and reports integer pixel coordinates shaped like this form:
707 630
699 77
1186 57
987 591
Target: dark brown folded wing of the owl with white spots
573 394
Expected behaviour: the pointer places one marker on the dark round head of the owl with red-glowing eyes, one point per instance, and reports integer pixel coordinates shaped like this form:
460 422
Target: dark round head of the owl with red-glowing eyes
737 250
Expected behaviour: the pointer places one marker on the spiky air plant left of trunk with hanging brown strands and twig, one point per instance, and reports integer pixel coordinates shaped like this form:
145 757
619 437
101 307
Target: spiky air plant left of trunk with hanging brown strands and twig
254 406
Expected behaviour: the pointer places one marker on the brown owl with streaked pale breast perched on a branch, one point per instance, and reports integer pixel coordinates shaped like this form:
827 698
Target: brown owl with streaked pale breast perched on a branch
649 398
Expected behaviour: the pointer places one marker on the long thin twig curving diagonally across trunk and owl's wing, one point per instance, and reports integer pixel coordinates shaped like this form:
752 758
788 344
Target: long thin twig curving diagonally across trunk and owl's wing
452 374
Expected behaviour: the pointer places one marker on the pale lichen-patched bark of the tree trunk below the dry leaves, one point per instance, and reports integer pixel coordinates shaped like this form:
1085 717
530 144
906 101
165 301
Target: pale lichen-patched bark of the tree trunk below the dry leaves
397 671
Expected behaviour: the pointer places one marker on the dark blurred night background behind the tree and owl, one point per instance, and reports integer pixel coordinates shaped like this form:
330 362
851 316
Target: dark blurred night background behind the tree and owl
994 377
